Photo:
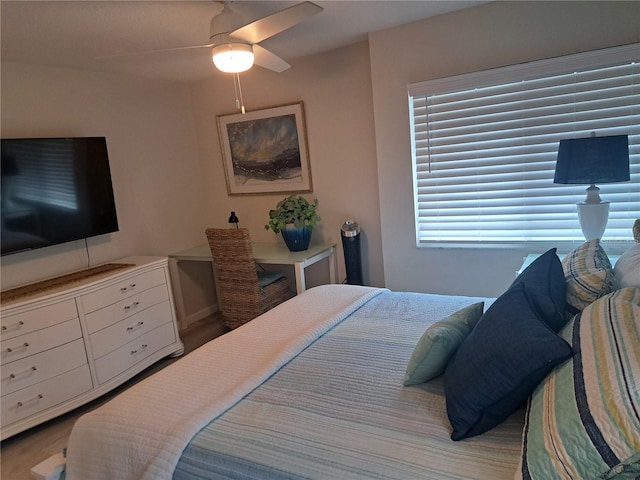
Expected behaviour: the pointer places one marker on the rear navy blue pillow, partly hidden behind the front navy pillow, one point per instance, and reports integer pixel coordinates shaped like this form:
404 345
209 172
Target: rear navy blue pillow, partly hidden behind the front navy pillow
546 287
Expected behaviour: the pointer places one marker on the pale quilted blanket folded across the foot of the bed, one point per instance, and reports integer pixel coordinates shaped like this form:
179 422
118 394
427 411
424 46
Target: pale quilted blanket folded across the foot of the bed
99 443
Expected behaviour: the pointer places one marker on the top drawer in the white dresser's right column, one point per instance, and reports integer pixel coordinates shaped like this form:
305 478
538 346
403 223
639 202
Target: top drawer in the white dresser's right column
123 289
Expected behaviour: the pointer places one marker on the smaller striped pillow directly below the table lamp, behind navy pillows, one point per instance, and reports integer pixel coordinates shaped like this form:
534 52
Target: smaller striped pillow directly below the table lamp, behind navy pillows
589 275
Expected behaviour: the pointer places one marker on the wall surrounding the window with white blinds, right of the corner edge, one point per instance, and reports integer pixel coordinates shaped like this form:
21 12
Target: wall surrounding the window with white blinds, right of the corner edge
488 36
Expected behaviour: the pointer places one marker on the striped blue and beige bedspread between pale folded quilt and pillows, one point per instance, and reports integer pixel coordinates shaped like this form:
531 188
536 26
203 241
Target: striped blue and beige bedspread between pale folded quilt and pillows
339 411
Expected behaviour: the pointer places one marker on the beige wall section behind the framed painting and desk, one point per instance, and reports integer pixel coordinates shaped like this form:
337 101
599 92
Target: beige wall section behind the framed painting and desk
335 89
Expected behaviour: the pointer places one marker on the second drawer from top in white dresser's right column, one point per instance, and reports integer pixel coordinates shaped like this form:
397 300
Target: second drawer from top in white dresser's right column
134 305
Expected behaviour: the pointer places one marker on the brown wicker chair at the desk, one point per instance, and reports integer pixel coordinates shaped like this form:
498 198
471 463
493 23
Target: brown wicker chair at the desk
245 293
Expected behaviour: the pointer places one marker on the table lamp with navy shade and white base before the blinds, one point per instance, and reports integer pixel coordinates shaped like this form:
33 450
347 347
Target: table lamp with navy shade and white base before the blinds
591 160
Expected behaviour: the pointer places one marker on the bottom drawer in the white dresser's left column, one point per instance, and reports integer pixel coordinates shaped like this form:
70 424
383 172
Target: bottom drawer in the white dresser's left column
36 398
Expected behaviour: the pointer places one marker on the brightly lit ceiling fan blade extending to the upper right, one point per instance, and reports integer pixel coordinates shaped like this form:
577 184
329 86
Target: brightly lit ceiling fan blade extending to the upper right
270 25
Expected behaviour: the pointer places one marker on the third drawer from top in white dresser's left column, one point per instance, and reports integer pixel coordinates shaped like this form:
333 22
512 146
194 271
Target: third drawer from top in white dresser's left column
42 366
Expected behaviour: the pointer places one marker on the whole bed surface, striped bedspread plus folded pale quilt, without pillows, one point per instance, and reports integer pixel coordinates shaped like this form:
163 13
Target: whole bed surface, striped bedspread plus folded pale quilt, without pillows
312 389
